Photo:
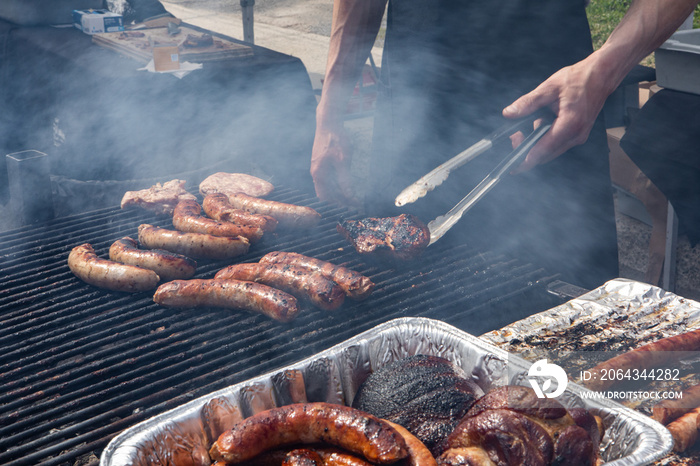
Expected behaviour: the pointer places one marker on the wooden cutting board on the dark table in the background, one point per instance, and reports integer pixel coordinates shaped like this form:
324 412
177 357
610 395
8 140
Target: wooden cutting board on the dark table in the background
137 44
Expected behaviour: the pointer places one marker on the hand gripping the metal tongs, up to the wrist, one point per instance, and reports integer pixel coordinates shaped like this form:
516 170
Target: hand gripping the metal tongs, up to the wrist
576 95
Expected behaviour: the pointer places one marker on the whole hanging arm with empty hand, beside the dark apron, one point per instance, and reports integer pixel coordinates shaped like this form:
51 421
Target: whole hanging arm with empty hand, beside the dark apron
353 32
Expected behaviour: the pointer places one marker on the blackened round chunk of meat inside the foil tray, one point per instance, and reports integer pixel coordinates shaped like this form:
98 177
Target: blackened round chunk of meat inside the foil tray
425 394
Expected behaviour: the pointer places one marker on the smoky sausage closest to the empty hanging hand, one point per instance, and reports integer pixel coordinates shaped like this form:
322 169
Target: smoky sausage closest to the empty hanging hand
287 215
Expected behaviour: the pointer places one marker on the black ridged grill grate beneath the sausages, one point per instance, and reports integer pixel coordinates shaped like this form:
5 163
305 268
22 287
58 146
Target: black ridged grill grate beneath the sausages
80 364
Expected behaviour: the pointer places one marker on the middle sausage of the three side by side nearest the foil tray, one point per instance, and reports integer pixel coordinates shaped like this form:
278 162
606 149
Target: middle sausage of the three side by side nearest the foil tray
297 281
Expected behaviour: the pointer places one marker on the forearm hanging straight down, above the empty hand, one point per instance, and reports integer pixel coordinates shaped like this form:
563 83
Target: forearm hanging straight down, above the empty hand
353 32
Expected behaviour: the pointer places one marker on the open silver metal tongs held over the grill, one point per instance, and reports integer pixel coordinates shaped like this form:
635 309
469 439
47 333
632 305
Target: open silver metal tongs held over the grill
436 177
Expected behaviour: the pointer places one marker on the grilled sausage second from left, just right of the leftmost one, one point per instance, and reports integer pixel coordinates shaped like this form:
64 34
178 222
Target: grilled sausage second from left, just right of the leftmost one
168 265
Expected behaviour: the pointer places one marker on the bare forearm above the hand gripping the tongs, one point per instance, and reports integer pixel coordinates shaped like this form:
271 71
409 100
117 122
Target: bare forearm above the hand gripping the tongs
647 24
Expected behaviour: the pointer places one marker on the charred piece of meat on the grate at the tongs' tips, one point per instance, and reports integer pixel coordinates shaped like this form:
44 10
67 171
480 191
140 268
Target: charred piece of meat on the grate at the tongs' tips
403 237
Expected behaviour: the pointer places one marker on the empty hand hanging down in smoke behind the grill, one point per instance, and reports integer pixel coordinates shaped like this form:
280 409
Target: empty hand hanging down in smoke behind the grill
330 167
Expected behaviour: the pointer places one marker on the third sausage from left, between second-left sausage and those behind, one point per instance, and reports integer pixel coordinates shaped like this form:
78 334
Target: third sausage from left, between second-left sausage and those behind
195 245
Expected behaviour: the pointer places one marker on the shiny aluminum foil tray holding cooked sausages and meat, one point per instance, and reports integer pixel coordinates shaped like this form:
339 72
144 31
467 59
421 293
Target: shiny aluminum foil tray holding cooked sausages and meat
335 374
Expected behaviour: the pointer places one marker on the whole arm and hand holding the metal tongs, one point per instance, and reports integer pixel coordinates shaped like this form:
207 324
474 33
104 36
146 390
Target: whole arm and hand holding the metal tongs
577 93
